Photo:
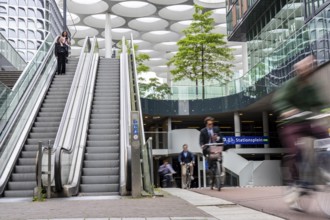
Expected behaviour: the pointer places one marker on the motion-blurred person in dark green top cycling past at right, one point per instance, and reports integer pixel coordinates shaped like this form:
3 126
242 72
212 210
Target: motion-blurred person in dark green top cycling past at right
298 95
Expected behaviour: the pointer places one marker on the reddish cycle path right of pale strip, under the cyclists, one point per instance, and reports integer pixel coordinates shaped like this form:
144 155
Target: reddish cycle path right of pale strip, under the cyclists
268 200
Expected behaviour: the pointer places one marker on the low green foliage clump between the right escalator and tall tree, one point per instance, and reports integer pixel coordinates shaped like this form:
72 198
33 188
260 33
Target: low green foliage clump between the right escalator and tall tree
154 89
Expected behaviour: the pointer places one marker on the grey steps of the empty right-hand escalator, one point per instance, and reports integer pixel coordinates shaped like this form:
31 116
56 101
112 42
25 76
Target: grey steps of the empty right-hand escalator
100 174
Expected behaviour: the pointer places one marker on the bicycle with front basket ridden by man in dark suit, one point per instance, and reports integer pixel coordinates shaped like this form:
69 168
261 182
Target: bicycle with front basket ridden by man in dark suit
215 155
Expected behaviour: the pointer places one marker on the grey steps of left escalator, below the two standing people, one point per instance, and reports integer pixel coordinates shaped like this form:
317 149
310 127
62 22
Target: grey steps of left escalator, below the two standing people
23 178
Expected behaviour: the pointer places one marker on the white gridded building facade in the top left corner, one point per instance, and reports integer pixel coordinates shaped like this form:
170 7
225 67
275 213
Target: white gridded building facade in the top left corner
26 23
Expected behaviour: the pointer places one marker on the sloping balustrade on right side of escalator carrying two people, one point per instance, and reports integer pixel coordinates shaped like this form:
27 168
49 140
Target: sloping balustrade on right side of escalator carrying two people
63 127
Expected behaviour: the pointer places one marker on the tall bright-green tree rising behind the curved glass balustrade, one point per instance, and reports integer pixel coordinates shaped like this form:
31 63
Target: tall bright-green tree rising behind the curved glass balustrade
202 55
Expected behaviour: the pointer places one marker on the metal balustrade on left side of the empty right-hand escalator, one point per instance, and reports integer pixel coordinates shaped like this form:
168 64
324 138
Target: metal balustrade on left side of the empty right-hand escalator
79 144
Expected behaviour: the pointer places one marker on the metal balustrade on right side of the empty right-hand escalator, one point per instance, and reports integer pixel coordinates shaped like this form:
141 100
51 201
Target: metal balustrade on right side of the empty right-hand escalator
125 120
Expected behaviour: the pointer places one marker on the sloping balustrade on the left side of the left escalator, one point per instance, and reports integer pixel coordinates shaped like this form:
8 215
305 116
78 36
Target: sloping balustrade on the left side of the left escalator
25 112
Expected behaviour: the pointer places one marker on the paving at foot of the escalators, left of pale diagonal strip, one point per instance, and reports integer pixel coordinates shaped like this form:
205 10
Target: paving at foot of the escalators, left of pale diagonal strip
101 207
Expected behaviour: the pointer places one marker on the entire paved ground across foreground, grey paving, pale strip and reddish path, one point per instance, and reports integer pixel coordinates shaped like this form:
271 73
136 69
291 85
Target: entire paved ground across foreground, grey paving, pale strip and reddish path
259 203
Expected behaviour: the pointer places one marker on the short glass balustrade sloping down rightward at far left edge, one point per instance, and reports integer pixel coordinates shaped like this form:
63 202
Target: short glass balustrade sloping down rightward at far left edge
10 54
